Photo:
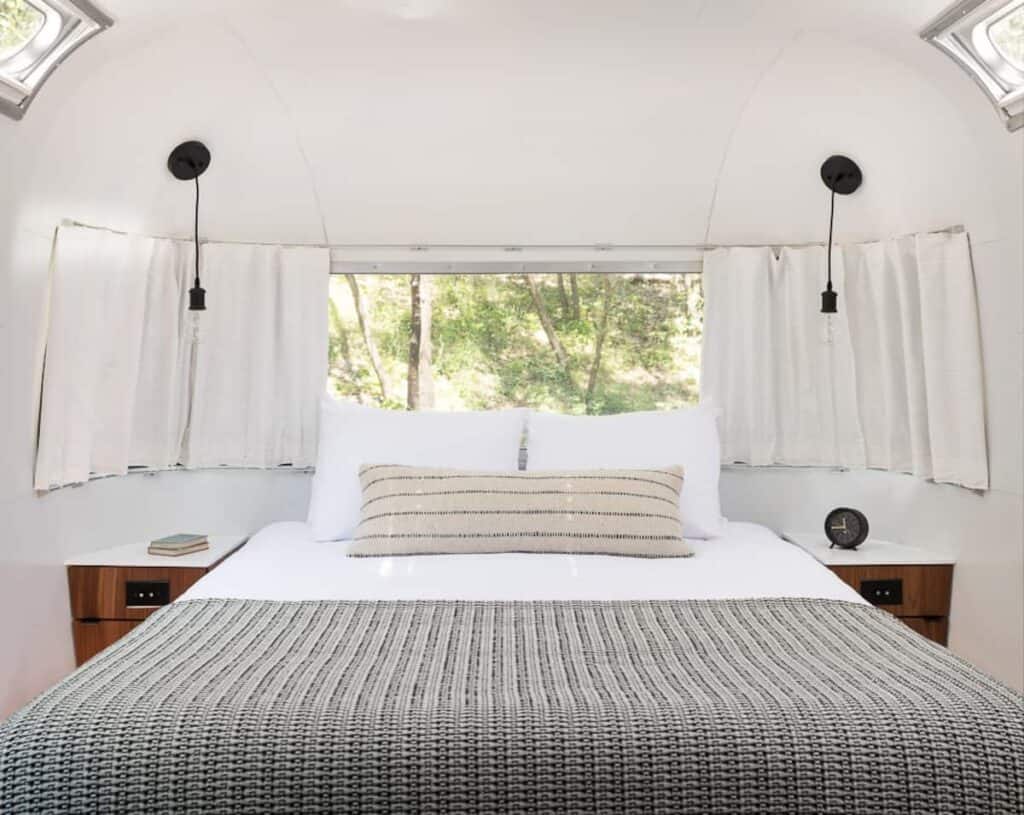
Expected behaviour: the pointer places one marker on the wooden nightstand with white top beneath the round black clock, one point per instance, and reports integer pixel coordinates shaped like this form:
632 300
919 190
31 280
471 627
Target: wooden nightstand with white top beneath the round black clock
913 584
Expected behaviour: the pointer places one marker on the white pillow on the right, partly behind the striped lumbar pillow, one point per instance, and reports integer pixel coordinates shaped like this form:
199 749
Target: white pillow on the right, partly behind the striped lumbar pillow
658 439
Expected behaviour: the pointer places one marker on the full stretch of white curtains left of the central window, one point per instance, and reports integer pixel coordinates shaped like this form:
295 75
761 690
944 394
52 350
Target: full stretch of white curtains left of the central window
124 384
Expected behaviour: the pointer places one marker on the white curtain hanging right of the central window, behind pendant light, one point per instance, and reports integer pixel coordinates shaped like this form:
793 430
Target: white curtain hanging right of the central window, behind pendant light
893 381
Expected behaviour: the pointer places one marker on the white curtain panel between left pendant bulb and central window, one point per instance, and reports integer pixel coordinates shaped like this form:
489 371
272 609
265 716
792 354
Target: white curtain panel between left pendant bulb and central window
262 361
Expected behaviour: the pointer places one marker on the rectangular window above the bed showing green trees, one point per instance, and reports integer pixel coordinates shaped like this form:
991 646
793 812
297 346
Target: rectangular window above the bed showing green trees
579 344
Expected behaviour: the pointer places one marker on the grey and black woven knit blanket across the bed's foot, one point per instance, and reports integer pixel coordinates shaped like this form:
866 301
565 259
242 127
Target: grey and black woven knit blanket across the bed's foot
703 707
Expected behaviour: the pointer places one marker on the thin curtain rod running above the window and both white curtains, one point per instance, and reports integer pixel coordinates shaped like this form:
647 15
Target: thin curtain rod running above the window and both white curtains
513 249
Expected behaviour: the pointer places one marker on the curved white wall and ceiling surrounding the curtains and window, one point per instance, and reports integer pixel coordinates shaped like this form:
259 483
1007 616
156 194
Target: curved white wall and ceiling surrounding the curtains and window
709 122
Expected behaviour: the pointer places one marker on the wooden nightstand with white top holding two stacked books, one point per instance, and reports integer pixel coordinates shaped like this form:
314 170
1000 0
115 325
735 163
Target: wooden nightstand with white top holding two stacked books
114 590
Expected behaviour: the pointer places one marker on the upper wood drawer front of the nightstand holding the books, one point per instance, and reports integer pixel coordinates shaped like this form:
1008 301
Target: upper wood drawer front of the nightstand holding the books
99 592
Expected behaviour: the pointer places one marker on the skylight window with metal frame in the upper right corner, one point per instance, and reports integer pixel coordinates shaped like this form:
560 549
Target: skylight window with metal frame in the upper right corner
987 38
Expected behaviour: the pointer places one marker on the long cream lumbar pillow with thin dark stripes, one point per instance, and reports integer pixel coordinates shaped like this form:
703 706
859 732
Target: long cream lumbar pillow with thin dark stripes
422 510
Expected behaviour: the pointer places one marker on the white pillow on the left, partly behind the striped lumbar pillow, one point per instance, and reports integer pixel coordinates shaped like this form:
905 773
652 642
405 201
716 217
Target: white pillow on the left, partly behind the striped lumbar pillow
354 435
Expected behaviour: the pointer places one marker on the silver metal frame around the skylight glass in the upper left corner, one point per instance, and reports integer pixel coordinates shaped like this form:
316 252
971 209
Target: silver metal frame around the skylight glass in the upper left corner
68 25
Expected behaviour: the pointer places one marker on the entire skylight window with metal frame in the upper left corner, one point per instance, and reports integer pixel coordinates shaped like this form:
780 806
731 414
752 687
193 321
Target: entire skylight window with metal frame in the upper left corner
35 37
